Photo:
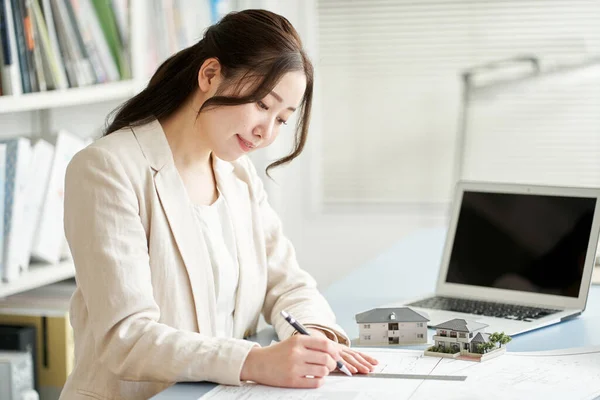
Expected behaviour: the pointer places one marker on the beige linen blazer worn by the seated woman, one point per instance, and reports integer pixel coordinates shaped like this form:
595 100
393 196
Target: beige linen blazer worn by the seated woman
143 313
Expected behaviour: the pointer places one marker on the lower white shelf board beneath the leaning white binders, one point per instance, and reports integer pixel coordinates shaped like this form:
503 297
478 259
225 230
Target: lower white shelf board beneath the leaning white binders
38 275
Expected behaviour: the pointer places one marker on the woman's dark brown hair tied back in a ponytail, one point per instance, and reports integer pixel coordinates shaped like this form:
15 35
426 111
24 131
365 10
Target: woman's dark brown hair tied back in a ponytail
255 46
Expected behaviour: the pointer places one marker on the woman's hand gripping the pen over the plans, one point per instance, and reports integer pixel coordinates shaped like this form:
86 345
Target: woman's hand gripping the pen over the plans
286 364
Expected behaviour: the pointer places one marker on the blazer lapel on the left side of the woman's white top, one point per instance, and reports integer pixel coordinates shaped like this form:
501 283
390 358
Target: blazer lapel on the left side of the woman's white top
174 200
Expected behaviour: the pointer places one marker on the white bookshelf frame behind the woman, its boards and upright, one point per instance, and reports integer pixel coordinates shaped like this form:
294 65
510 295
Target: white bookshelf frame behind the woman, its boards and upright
79 110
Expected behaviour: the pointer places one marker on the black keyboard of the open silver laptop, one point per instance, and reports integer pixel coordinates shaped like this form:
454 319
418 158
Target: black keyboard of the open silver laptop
489 309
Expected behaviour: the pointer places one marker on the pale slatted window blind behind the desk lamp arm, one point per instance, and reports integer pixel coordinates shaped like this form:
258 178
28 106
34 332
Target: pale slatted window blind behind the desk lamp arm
389 75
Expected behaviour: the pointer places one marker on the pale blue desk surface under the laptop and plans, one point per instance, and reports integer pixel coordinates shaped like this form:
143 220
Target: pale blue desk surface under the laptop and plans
390 277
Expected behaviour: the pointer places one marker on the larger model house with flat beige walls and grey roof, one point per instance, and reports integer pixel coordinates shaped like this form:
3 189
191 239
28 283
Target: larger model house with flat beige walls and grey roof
392 326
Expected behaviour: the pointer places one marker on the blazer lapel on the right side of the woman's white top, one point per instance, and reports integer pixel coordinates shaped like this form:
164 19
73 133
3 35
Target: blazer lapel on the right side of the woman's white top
237 197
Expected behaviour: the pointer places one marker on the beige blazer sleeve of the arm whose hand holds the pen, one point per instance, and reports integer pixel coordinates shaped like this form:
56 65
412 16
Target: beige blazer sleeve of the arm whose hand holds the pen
109 247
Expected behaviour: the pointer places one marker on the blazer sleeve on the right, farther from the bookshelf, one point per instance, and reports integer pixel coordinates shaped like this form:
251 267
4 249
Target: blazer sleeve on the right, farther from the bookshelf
289 287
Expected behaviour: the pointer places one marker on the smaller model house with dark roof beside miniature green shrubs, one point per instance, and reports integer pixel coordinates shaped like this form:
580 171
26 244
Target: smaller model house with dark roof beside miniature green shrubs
460 335
